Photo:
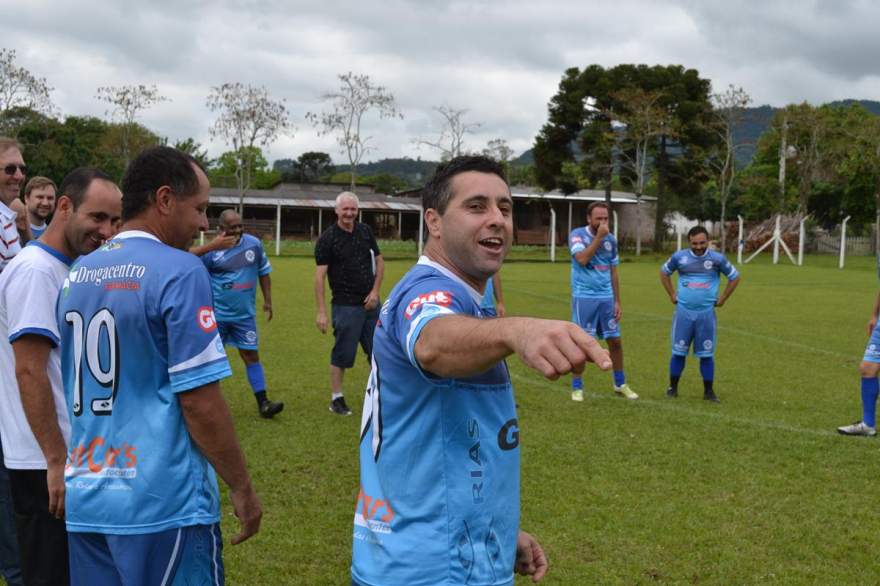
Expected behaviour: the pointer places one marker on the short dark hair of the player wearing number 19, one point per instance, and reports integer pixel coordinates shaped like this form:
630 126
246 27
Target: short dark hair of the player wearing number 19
152 169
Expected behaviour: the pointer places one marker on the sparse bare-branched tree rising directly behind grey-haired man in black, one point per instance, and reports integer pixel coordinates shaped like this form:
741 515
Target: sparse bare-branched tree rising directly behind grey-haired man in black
357 95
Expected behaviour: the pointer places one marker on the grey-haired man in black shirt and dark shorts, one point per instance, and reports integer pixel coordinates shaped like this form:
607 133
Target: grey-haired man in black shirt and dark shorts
347 253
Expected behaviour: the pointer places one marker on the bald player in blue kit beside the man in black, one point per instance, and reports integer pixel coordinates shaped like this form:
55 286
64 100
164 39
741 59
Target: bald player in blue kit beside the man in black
235 273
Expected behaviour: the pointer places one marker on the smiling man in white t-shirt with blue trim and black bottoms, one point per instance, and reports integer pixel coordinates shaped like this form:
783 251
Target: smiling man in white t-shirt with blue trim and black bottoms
34 423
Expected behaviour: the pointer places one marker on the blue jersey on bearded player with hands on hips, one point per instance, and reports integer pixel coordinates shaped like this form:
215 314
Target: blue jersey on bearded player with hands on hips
698 277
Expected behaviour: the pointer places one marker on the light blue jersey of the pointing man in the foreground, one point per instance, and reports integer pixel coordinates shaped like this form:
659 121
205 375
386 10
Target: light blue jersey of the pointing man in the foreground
439 457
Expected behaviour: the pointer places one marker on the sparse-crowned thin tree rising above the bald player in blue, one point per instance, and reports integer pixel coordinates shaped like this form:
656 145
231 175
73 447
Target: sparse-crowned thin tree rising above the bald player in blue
247 117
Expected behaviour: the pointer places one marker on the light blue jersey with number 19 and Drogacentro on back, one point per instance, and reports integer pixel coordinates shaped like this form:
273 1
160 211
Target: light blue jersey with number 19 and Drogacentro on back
137 327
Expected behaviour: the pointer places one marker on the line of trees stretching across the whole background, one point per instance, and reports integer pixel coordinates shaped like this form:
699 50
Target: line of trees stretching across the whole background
652 130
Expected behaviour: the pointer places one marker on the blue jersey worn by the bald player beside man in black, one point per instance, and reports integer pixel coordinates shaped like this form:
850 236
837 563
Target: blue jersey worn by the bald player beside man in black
234 276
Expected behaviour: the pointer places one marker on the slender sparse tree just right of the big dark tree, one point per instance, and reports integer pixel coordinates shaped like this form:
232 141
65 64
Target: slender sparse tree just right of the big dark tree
729 111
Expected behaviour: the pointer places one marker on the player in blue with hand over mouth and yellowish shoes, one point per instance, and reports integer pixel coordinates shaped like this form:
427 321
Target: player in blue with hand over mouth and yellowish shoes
595 292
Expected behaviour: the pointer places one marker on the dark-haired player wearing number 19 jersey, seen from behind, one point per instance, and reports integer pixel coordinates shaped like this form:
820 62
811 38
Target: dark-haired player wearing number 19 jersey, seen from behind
141 365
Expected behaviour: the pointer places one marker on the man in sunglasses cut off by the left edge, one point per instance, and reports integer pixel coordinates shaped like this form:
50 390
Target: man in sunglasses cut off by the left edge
12 174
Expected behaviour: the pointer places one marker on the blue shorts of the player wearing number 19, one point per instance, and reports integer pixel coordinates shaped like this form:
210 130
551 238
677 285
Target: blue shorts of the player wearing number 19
177 557
